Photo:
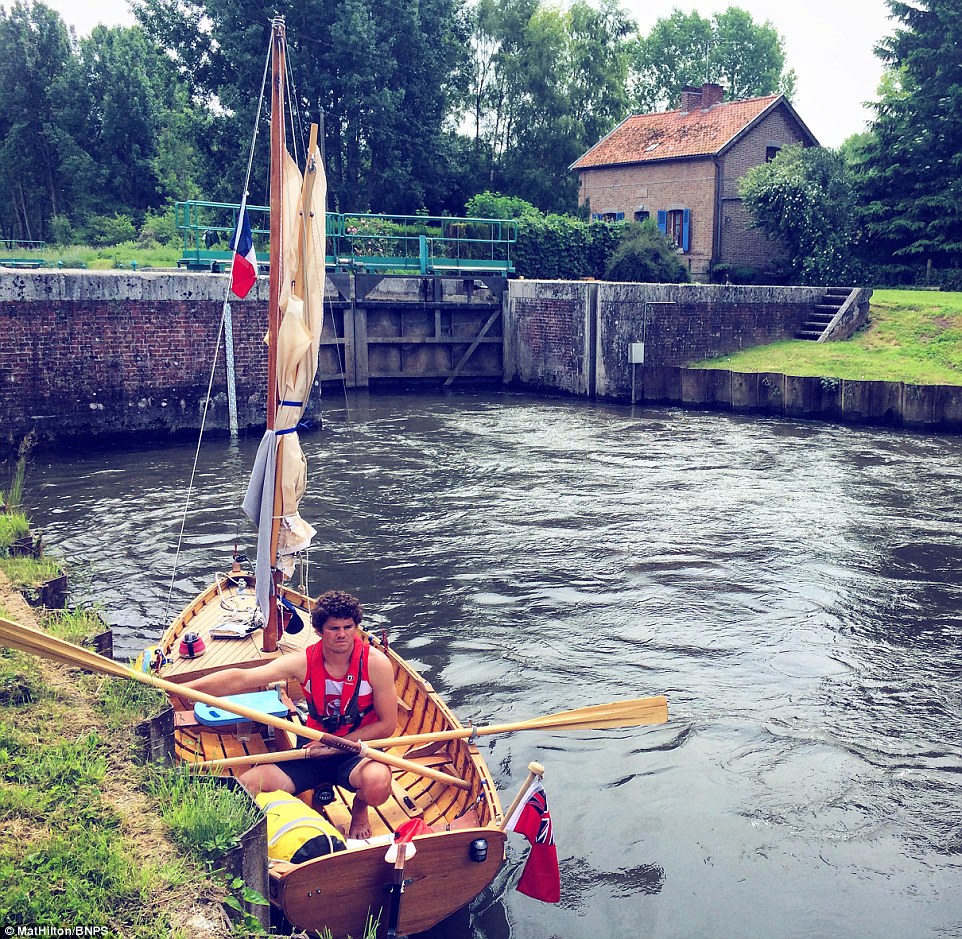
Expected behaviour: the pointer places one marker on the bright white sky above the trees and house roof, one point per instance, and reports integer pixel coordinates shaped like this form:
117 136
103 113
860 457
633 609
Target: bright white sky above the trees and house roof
828 42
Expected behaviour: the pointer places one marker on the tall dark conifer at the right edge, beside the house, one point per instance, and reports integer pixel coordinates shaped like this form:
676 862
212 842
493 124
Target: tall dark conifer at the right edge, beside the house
910 171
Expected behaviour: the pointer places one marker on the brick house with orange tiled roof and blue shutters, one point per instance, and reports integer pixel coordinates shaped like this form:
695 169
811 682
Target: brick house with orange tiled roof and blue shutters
682 169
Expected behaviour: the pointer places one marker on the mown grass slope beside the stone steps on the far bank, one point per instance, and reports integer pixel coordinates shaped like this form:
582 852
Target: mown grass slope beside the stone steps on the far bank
913 336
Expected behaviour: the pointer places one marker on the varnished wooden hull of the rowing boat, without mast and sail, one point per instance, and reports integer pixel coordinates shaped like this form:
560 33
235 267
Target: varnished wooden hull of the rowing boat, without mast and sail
338 891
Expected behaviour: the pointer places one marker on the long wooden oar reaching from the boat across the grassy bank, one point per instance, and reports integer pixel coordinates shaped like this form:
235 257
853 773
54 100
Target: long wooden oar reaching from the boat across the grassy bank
42 644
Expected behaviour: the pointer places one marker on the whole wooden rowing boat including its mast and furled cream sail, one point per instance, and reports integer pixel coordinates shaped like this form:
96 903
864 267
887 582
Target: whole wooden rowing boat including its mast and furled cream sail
445 784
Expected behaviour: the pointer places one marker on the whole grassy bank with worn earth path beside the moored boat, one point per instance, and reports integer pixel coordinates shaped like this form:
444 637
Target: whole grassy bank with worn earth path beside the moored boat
88 837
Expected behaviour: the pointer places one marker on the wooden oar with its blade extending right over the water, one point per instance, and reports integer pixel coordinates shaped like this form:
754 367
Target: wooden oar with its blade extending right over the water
631 713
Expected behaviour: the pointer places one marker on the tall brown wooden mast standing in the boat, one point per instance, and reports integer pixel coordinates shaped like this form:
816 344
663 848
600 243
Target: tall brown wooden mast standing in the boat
277 273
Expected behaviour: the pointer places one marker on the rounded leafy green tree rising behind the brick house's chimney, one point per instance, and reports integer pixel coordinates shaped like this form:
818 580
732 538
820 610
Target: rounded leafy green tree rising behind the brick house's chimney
730 49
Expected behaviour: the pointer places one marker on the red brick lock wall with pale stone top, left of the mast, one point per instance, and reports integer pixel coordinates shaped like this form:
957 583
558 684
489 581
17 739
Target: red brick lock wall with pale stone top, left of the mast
104 353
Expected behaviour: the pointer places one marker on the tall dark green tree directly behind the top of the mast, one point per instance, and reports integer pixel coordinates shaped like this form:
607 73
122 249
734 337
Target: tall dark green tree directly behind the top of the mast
381 71
